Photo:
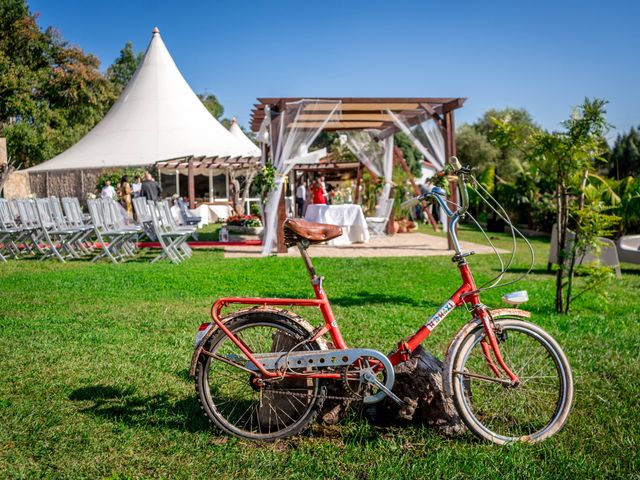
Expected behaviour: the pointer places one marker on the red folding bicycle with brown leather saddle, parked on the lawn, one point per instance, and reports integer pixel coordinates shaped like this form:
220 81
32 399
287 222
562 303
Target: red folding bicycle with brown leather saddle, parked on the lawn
262 372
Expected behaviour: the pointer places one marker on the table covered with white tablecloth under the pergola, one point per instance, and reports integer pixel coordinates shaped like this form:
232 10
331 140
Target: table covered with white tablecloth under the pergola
347 216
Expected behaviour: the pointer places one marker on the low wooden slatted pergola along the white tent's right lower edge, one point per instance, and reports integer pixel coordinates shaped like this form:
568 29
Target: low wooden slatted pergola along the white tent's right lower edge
203 163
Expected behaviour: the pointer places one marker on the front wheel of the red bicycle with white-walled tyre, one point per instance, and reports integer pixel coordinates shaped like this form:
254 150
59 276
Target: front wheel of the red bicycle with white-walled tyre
494 410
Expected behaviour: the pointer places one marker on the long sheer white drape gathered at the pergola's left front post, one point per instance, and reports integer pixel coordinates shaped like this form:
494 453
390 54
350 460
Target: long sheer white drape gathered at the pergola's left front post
291 133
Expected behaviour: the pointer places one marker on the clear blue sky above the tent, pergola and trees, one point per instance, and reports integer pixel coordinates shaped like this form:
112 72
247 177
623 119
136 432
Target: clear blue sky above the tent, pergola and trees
543 56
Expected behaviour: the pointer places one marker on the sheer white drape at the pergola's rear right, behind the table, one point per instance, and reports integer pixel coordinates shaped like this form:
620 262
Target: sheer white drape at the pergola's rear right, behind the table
376 155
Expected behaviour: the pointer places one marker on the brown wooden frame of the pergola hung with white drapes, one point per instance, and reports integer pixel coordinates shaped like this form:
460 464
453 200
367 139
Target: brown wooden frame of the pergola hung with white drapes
362 113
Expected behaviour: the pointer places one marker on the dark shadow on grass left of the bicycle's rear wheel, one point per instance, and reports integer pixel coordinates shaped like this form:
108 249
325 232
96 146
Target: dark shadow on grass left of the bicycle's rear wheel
133 409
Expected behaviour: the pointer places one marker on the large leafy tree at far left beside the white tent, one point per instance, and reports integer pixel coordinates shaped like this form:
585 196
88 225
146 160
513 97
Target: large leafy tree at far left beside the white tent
51 93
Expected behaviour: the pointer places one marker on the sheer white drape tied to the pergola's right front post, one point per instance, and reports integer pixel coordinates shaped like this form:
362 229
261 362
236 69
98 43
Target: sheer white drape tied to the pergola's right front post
426 137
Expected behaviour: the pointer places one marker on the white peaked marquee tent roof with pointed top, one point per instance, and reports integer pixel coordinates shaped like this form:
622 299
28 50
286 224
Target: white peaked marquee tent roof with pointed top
157 117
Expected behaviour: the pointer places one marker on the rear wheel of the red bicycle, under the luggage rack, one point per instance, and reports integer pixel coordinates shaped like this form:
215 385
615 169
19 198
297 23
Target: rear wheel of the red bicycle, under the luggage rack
236 400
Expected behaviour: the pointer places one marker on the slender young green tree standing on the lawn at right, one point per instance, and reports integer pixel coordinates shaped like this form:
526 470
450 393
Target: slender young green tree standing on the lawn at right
569 158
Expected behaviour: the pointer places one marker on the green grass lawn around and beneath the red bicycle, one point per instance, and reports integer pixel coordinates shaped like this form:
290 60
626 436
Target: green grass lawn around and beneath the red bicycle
95 382
